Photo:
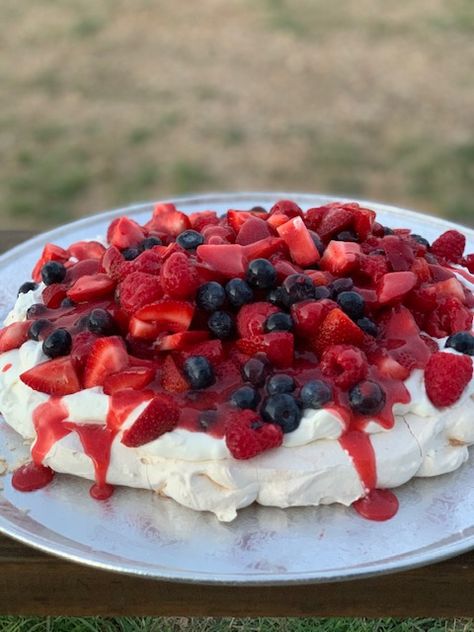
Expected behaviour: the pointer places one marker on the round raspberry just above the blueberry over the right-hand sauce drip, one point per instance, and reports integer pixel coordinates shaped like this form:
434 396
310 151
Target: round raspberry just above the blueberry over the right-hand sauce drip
345 365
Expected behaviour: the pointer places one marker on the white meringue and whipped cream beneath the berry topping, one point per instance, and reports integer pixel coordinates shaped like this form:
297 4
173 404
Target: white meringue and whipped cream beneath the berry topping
197 470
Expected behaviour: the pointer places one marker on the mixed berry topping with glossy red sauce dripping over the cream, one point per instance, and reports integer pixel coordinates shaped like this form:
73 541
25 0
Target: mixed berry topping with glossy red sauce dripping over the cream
161 293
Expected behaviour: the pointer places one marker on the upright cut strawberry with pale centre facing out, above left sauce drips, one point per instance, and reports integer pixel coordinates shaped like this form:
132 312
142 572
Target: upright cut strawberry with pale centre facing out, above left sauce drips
108 355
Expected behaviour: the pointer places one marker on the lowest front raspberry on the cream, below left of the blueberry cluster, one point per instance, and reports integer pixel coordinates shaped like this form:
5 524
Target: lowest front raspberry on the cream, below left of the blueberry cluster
247 435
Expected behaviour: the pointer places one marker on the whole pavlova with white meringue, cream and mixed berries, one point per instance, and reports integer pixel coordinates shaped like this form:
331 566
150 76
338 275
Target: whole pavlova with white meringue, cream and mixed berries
291 358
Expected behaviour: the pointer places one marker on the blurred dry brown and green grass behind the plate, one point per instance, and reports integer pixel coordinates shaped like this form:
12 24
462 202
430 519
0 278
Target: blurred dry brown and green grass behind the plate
107 102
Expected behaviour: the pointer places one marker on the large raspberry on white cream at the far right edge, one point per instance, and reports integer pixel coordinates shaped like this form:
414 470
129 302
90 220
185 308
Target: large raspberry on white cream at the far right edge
446 377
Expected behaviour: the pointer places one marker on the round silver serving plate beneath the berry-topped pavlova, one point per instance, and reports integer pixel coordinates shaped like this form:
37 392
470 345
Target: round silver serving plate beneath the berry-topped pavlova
139 533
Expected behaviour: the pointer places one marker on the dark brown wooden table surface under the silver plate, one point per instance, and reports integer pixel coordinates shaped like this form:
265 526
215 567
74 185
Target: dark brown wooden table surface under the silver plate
34 583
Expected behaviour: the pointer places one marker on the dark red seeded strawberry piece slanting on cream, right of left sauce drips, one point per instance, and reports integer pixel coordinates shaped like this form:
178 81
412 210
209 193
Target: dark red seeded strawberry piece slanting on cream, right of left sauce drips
160 416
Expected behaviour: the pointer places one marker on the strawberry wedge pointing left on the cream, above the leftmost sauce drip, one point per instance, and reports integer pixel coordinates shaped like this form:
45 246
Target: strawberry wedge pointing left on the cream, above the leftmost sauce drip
54 377
